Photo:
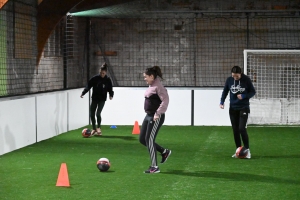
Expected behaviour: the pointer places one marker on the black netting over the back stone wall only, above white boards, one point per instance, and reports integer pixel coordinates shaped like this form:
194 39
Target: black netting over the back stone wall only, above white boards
192 51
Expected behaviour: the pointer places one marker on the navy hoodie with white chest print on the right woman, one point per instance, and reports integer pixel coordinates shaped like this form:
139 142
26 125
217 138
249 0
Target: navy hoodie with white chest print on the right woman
243 86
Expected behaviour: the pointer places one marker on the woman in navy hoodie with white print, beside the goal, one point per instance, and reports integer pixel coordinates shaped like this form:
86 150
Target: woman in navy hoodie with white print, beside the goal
241 90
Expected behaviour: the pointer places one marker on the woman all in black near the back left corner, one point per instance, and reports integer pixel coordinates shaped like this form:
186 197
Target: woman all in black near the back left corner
101 85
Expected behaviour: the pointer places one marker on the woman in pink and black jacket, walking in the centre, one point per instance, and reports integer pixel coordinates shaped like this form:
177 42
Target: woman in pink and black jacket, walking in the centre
156 104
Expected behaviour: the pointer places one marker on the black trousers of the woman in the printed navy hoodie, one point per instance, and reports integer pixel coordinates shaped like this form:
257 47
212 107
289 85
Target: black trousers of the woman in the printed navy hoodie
238 120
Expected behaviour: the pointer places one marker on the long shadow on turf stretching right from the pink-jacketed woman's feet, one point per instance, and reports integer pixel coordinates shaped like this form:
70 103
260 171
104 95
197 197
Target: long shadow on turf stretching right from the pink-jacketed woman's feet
233 176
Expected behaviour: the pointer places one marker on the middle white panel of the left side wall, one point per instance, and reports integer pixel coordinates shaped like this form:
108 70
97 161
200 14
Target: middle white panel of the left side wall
51 115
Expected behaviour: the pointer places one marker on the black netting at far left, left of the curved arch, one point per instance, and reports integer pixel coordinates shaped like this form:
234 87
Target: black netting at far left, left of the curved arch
18 48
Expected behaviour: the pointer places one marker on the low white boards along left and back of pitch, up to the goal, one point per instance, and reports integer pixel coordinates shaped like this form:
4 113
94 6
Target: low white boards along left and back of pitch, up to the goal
38 117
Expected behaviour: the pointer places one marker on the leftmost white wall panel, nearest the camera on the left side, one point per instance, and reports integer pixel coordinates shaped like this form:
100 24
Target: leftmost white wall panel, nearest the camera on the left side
17 124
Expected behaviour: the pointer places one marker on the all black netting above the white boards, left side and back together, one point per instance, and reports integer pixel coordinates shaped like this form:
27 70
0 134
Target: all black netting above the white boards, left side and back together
195 43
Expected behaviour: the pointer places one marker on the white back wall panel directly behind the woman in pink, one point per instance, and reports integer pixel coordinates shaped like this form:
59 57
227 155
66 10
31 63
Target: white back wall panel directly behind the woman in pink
128 107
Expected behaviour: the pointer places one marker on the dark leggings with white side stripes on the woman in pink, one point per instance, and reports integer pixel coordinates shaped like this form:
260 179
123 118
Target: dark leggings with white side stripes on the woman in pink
148 134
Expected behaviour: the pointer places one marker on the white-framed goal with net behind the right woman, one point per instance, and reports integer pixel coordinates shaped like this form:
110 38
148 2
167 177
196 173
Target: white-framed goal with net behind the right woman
275 75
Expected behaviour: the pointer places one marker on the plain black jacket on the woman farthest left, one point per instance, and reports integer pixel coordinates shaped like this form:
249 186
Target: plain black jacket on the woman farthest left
100 87
